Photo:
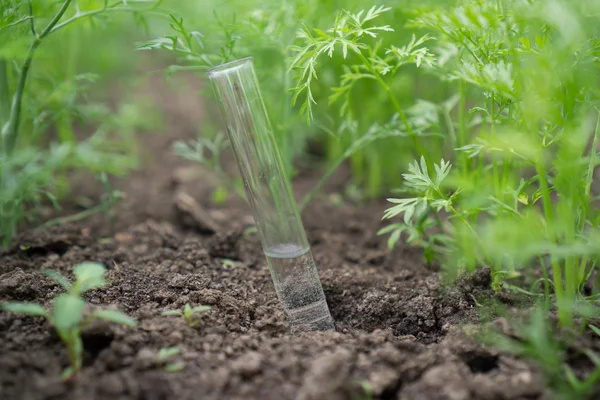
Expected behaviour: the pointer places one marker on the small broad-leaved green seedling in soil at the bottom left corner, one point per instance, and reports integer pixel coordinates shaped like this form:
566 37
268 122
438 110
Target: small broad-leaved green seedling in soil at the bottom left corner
67 314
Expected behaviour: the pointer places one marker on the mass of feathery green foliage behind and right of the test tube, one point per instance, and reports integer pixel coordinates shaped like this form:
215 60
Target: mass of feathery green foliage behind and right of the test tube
495 101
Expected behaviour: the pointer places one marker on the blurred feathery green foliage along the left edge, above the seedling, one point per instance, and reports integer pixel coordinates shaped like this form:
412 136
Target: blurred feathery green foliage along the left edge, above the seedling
37 101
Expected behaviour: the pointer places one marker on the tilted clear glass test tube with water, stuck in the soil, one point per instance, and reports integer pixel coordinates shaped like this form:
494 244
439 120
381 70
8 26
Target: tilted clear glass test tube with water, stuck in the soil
270 196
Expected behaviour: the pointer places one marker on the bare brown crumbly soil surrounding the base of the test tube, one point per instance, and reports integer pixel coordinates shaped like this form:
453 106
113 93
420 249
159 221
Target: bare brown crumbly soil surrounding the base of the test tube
399 333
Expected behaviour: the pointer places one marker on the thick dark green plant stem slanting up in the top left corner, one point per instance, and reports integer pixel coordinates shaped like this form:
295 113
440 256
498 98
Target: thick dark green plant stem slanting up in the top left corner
11 128
